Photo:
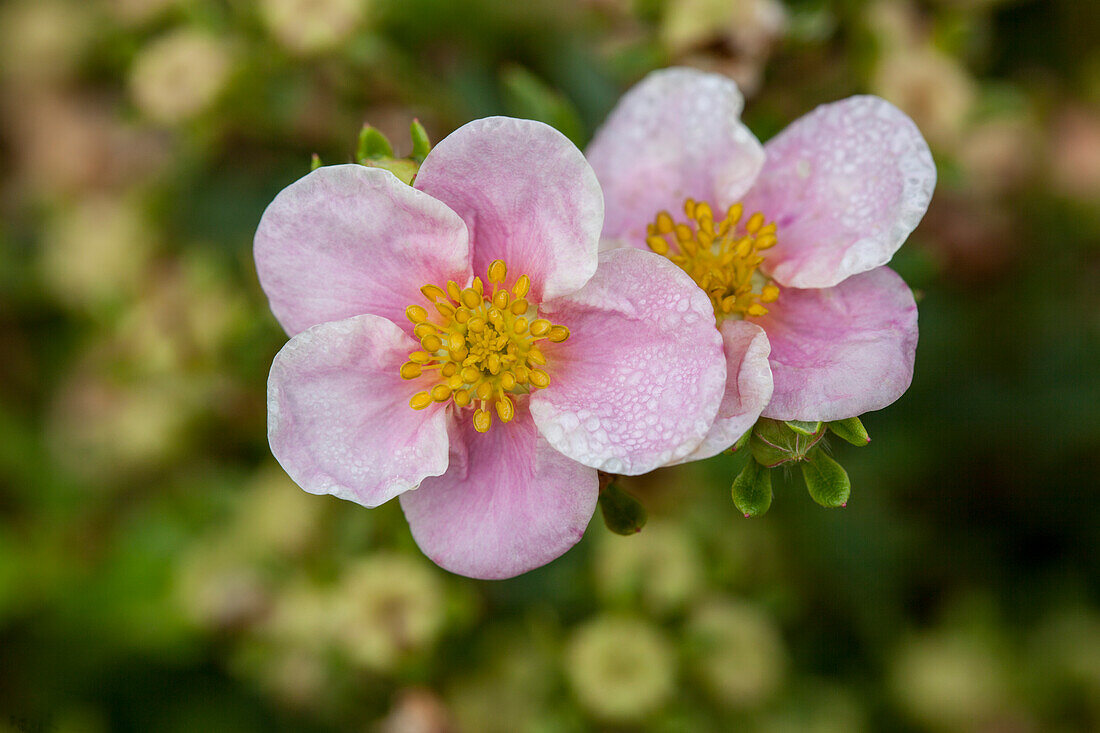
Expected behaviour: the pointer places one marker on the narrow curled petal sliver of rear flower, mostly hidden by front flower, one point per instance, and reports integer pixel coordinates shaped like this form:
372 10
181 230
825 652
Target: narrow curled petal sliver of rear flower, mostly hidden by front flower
749 388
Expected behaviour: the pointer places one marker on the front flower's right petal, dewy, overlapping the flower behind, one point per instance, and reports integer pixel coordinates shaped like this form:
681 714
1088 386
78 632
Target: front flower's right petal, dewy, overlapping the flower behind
639 382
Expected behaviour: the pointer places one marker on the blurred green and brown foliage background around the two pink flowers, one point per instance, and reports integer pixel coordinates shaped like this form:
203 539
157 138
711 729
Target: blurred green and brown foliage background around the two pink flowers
160 573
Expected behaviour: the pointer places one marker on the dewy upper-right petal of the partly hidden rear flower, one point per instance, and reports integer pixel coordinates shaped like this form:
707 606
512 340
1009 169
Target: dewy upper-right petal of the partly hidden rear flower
846 184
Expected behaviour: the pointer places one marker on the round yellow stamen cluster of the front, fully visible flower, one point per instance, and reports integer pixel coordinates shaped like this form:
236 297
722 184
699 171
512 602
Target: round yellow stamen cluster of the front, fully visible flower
483 351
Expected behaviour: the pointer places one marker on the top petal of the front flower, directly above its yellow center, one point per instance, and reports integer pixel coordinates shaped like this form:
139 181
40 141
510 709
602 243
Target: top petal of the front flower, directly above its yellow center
527 196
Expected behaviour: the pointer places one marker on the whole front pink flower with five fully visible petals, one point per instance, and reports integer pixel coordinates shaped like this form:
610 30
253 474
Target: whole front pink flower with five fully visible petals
486 403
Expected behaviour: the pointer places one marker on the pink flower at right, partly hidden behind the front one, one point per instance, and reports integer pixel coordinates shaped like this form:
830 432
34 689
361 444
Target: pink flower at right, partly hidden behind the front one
789 240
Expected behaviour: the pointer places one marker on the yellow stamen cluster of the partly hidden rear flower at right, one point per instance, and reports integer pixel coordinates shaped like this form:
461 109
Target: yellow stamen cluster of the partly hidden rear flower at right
723 258
